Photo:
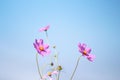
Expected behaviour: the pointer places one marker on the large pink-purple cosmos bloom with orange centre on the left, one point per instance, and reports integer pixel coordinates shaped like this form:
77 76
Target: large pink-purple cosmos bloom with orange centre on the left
41 48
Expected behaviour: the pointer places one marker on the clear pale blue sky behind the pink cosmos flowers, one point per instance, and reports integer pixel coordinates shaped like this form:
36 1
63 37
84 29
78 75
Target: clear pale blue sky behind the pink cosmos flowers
94 22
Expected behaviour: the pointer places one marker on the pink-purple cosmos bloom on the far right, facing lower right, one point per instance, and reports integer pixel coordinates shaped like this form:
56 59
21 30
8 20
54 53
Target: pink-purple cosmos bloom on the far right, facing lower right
86 51
